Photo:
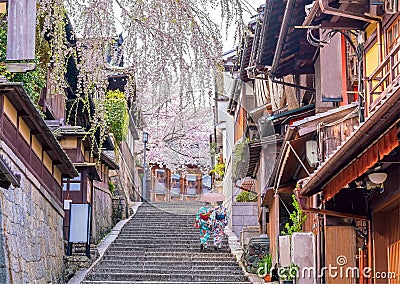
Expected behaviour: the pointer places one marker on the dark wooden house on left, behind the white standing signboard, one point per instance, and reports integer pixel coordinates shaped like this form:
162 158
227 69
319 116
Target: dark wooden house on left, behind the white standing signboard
92 185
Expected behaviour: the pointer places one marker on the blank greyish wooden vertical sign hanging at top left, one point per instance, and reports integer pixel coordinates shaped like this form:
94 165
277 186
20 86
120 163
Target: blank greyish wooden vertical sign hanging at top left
21 29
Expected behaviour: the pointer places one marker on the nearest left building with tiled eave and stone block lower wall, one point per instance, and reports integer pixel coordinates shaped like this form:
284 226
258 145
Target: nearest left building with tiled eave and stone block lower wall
33 166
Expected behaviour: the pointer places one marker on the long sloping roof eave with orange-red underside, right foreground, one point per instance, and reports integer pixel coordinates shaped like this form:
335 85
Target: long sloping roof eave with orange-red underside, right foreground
377 134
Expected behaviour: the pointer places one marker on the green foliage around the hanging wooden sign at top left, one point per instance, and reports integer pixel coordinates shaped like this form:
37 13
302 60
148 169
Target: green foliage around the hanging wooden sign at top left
33 81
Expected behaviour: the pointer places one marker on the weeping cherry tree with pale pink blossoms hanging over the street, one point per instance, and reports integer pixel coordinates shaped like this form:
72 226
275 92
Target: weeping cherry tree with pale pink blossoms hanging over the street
172 50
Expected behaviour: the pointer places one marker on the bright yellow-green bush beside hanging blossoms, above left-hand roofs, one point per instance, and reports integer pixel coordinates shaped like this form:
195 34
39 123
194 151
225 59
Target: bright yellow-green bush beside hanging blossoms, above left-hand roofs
117 118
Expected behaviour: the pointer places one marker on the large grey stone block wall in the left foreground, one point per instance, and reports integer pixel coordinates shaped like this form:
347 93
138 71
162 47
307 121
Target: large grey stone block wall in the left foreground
31 237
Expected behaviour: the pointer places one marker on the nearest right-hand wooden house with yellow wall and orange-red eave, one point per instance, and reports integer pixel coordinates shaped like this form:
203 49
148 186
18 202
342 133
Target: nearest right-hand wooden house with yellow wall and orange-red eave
363 211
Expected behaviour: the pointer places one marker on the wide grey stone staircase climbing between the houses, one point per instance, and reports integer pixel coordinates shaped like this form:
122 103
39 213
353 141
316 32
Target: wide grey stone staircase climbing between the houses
160 245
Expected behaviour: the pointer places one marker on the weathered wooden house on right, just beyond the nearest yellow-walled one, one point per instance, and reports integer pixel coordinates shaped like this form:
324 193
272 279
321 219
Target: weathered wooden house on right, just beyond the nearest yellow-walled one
315 95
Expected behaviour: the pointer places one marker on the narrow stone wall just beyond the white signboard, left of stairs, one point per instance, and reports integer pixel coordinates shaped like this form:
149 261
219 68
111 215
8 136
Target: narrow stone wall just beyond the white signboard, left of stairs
102 214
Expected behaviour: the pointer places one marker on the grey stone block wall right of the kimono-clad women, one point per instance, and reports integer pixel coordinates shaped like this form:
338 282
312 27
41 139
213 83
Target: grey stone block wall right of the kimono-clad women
243 214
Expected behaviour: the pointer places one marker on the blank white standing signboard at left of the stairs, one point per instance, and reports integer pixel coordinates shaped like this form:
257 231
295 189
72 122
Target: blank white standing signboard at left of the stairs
79 224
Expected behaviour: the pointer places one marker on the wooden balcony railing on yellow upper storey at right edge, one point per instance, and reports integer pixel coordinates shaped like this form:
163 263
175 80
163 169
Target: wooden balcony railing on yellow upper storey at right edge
384 77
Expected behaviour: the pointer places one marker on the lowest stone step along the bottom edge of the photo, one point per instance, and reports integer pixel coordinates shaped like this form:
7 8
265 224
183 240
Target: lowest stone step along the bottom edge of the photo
189 277
